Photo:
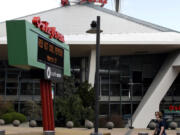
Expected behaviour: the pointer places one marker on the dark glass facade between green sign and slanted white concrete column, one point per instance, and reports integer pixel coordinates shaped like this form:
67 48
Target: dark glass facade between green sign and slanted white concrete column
115 75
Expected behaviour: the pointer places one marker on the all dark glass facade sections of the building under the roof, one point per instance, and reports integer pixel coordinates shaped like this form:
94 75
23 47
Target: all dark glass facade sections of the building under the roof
115 75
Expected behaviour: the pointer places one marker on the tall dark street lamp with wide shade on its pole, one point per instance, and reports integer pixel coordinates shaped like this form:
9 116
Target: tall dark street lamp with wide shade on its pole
95 29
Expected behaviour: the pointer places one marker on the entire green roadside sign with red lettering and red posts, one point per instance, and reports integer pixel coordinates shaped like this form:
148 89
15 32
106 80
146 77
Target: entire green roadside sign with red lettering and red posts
39 48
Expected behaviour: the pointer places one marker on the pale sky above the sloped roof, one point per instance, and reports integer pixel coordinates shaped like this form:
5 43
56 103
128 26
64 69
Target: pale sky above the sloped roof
162 12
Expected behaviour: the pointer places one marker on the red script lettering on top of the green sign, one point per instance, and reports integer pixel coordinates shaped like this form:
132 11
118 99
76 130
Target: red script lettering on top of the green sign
43 26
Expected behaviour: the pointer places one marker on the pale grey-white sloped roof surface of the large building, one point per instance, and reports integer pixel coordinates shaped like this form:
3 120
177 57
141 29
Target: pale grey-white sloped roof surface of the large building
76 19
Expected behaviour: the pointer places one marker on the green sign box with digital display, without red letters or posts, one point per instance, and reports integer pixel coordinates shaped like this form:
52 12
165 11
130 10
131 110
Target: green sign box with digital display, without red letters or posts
29 47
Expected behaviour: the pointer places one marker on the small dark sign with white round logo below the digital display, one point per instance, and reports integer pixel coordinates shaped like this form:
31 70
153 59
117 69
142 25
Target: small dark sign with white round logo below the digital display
51 73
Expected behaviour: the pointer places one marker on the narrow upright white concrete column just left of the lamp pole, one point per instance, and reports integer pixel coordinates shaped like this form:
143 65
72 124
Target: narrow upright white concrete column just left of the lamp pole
92 67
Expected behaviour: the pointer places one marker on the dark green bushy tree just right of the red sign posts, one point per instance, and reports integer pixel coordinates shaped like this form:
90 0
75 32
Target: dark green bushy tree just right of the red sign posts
77 102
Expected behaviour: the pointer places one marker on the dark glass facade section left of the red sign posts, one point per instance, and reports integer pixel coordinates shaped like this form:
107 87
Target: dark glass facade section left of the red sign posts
17 86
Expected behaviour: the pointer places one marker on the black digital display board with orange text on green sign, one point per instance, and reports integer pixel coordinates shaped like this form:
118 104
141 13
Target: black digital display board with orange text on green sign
50 53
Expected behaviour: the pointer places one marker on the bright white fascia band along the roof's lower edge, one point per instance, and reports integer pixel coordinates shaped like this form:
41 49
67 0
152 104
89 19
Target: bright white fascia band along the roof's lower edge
163 38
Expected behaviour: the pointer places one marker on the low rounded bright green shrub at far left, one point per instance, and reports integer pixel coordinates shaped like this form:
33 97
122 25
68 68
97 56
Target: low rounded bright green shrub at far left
10 117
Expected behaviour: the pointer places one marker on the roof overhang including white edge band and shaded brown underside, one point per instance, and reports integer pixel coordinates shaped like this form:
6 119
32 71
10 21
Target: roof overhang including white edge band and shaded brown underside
121 44
